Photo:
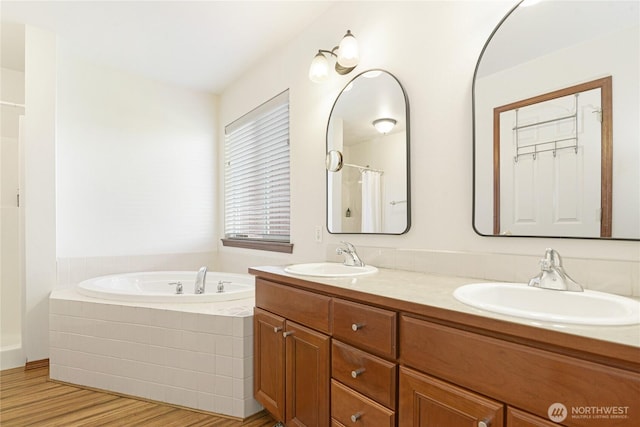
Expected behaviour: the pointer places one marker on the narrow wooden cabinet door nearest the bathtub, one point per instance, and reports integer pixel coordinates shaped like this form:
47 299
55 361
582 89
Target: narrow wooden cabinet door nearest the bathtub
269 362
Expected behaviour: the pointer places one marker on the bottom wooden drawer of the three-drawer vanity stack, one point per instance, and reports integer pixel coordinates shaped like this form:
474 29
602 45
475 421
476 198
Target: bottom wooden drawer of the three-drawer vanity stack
349 407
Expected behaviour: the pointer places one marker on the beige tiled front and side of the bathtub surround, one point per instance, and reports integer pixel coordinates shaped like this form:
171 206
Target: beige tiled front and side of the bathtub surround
195 355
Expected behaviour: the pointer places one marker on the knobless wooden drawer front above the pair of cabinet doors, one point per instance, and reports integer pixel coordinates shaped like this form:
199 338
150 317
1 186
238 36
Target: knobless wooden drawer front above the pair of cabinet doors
304 307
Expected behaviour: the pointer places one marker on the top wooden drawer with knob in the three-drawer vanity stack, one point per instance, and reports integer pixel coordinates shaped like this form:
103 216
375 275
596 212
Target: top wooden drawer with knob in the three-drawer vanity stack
370 328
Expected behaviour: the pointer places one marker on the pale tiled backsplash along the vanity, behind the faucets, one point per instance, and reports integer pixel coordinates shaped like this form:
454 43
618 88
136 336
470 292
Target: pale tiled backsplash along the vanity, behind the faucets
612 276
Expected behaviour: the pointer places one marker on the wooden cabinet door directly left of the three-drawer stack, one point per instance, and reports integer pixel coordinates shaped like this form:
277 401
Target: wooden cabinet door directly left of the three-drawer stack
307 376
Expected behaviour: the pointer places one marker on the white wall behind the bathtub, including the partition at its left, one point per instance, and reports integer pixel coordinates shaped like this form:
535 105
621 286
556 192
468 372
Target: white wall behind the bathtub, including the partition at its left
120 169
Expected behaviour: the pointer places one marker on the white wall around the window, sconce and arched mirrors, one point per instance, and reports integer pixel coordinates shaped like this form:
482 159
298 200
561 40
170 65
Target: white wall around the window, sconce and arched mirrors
432 47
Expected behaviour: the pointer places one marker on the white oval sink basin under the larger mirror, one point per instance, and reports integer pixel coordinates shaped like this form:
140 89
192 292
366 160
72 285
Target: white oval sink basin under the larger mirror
518 299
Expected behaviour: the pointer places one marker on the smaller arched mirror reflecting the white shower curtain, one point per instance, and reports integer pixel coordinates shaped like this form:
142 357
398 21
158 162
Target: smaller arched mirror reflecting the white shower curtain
368 157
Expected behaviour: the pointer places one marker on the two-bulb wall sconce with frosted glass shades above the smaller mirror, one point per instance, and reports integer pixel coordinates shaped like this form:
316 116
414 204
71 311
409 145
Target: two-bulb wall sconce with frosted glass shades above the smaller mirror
346 55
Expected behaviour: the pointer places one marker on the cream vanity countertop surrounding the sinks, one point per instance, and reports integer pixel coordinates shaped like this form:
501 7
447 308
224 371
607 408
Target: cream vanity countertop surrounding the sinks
437 291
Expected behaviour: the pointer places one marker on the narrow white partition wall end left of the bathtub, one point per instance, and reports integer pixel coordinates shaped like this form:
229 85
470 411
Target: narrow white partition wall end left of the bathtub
39 189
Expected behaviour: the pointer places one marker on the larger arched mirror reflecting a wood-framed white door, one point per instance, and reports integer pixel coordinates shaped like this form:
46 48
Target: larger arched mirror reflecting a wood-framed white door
556 101
